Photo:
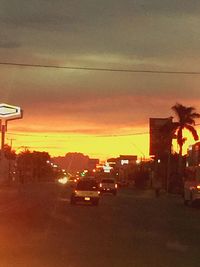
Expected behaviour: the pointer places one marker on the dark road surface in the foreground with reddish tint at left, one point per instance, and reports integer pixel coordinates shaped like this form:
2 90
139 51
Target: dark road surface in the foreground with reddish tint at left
39 228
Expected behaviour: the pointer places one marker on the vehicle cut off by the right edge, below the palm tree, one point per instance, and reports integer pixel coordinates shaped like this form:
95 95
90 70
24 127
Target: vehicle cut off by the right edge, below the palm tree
191 192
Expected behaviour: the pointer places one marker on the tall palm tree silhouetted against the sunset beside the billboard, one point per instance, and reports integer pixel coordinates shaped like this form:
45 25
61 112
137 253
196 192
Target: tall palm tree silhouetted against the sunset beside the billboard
186 120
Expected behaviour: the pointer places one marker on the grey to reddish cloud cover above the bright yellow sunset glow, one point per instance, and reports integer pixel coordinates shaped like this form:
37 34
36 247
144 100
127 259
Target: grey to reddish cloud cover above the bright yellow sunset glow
141 34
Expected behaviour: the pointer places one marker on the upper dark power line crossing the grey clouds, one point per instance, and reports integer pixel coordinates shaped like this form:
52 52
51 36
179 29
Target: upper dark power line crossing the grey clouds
99 69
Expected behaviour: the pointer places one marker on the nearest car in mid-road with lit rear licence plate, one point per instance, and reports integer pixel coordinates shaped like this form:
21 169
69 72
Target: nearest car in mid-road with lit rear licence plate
87 191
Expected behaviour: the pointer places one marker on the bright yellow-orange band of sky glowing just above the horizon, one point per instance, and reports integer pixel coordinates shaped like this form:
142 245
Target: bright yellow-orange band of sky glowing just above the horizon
102 146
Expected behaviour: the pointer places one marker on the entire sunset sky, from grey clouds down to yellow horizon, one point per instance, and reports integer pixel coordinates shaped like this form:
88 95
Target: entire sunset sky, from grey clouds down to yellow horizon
98 113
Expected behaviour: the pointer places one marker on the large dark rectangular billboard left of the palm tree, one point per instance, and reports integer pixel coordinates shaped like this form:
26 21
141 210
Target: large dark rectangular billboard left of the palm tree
160 140
